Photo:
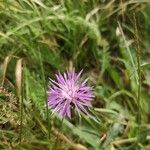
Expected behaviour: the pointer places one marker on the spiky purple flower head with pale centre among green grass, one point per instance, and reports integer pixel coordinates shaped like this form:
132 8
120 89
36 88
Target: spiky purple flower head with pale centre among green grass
69 92
